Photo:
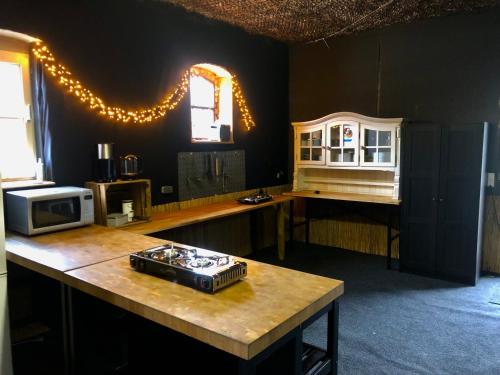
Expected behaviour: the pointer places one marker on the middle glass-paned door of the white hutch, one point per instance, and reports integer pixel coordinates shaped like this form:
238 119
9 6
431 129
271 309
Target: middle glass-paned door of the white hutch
342 143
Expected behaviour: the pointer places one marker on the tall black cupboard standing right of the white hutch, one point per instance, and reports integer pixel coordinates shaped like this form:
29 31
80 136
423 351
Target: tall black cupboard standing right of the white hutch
441 216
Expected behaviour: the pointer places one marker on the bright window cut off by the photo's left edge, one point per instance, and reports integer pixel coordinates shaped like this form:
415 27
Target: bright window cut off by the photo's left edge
17 150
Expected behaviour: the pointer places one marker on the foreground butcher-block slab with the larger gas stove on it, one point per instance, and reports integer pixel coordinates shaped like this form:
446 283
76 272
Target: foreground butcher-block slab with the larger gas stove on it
242 319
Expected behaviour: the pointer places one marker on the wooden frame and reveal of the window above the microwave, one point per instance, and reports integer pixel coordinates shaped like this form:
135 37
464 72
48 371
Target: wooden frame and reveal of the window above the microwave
17 52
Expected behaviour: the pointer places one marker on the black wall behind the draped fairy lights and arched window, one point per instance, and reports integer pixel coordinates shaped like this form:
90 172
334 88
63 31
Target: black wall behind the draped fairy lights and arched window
130 53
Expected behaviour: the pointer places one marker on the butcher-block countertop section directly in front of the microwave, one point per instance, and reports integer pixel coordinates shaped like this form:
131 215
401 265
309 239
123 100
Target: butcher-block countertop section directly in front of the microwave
55 253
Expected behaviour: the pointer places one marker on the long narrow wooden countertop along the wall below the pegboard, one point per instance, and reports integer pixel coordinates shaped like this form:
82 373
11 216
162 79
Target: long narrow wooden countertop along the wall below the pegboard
188 216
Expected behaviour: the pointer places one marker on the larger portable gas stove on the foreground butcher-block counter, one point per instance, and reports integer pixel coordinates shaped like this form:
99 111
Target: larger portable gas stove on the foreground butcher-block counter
200 269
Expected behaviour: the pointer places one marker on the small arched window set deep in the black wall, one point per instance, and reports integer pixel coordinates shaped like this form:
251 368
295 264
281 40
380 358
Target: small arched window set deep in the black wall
211 92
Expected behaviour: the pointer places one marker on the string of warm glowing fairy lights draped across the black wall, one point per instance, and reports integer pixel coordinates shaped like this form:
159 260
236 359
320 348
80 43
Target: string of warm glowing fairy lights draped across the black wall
124 115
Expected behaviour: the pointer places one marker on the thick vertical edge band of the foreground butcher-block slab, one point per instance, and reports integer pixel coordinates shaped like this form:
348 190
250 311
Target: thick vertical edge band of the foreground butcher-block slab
220 341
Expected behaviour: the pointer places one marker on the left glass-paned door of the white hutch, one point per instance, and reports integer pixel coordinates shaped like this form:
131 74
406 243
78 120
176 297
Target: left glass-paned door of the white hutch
311 148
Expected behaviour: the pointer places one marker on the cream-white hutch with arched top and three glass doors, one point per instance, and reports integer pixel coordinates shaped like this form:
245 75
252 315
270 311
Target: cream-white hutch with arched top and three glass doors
347 153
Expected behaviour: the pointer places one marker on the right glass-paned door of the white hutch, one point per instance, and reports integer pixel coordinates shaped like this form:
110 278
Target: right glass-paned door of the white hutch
378 146
